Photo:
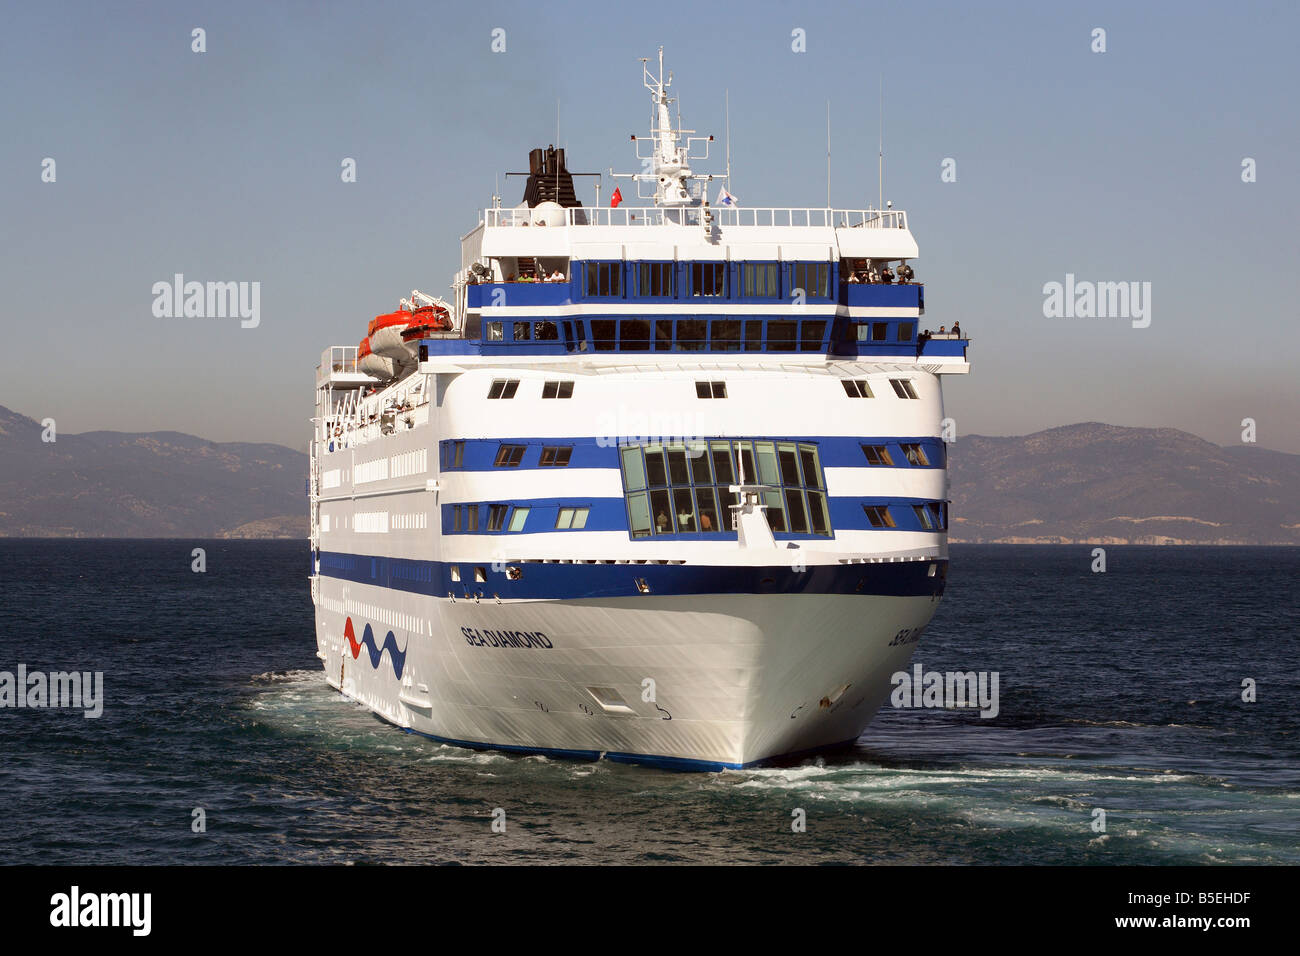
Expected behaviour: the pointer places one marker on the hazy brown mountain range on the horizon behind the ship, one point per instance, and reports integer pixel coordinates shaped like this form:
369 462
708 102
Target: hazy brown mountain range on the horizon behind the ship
1077 485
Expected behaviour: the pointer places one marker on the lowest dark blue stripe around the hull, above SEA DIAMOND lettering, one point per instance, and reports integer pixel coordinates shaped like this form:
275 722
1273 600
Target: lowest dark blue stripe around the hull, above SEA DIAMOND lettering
544 582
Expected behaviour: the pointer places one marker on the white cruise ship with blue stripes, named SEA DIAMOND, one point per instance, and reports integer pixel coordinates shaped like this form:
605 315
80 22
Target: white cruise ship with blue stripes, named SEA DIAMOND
662 481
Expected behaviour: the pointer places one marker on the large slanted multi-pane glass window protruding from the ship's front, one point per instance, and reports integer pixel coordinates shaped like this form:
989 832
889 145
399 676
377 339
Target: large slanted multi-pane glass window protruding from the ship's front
684 488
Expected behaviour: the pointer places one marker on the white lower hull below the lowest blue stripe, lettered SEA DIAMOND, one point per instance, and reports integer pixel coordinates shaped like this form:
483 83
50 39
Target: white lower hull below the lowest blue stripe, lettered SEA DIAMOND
701 682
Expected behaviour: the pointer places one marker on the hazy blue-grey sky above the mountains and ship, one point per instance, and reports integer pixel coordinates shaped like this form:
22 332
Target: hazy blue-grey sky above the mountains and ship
226 166
